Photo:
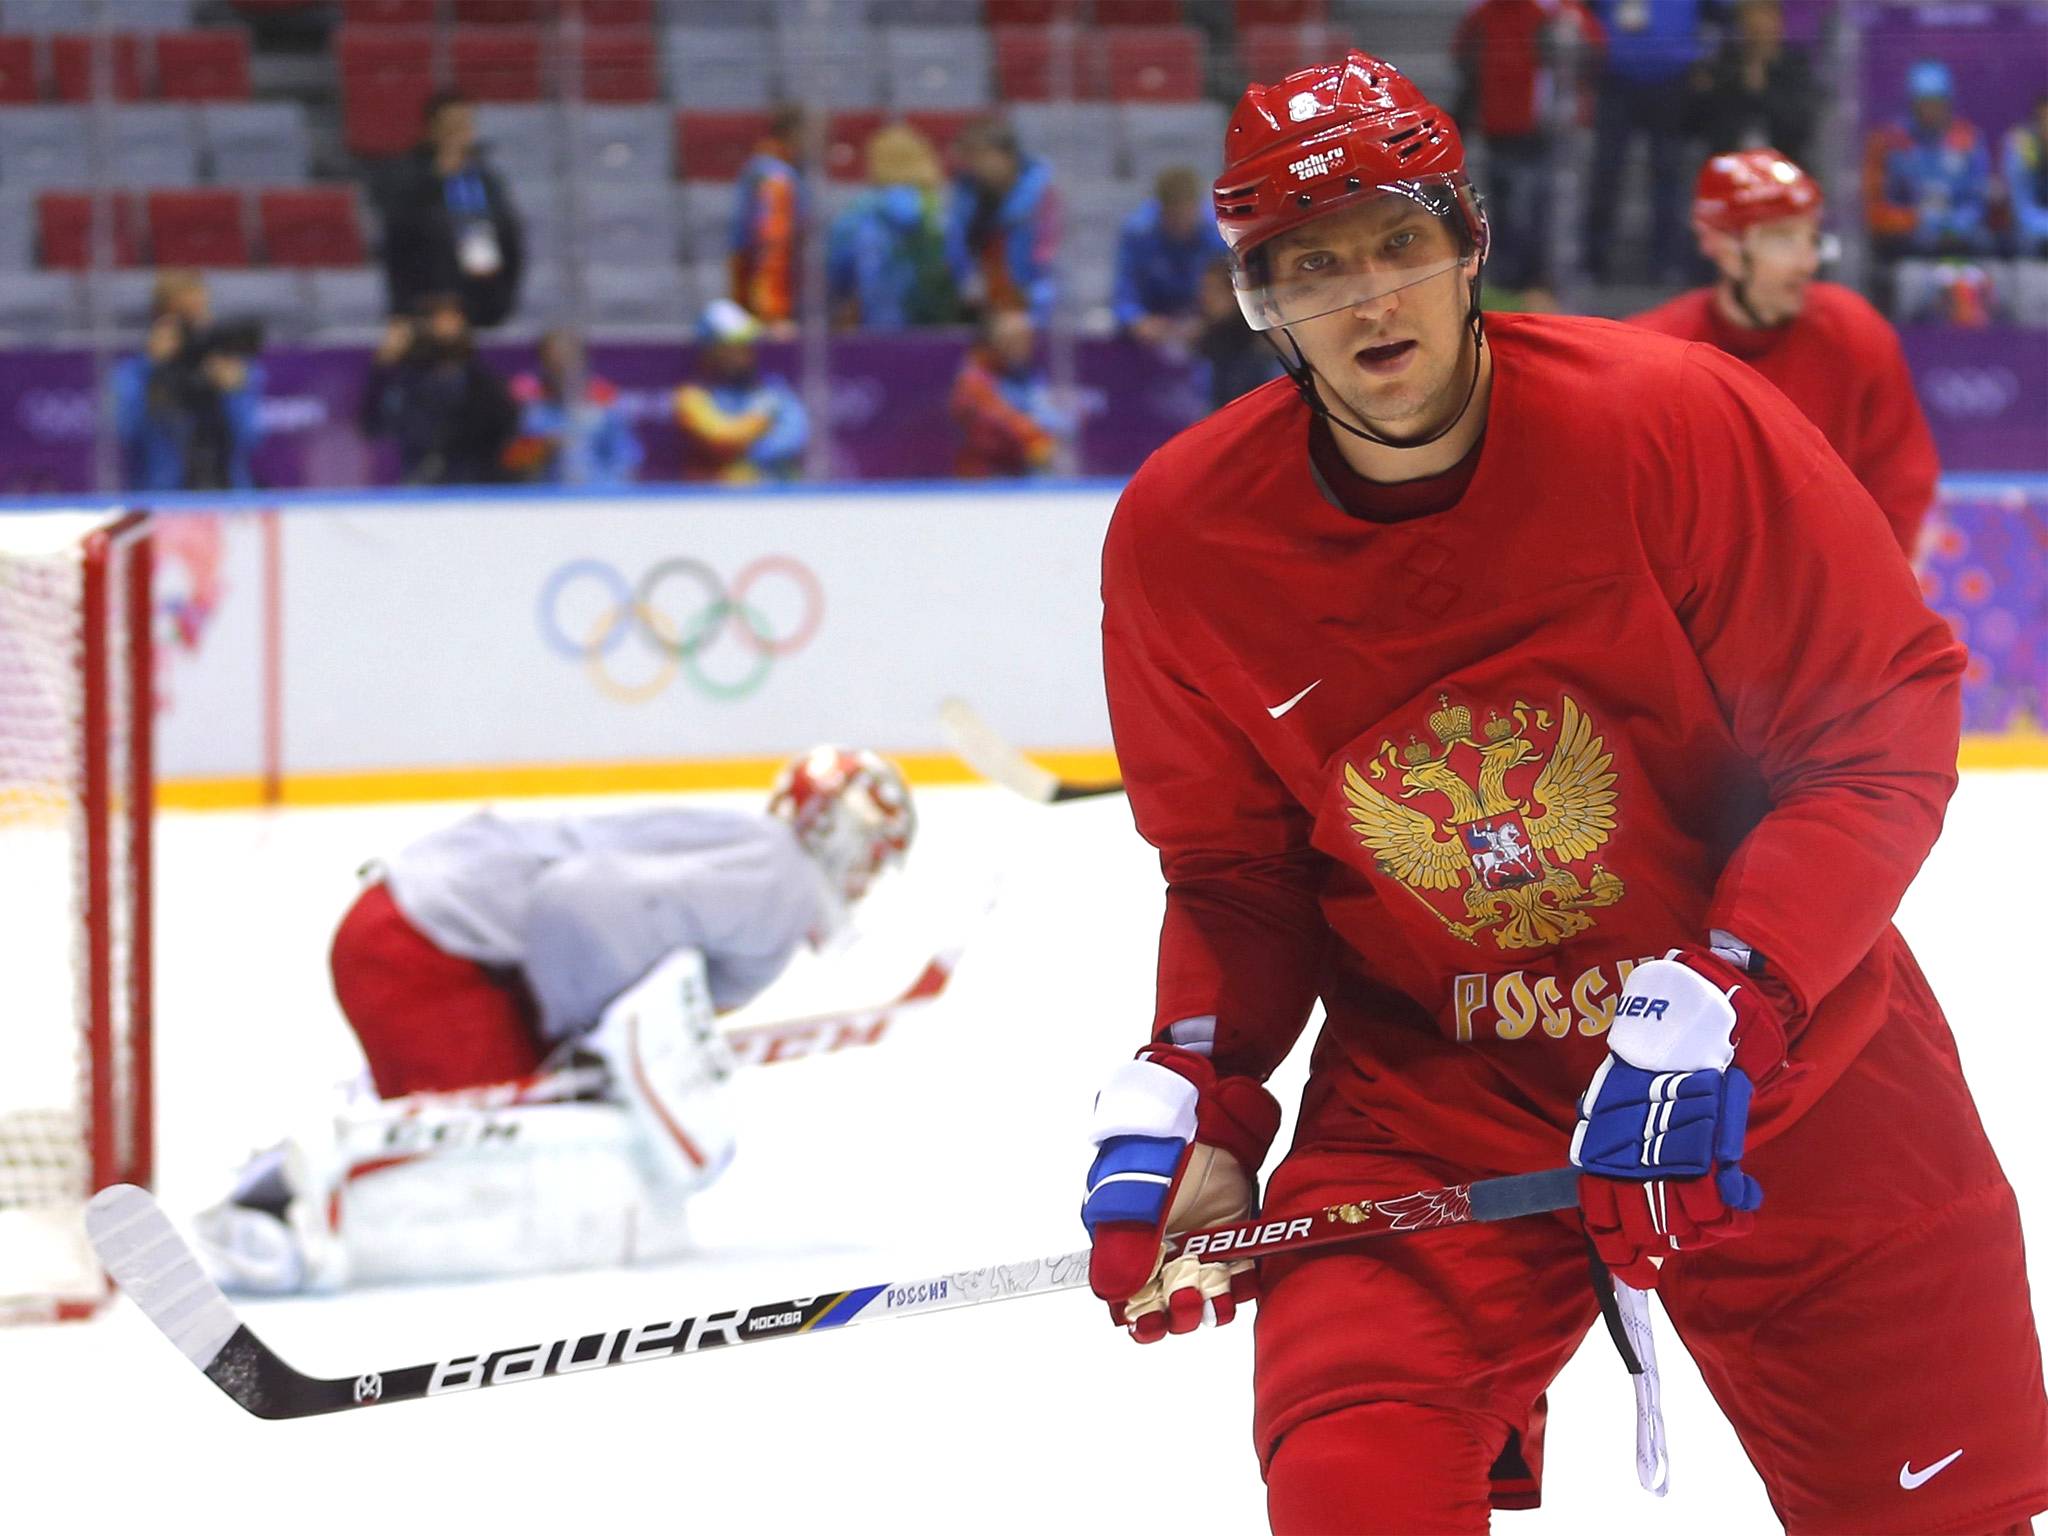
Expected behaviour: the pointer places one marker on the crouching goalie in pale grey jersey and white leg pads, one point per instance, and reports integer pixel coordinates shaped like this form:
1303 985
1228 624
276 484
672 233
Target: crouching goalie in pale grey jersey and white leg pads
538 1000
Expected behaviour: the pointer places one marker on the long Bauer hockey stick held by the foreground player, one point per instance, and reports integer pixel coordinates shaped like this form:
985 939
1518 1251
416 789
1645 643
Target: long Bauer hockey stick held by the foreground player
155 1267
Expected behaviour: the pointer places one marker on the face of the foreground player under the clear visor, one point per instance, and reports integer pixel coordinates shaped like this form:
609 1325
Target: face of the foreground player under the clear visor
1394 361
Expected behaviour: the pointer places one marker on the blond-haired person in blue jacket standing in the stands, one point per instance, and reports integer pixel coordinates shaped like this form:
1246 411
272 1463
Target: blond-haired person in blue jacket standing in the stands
886 257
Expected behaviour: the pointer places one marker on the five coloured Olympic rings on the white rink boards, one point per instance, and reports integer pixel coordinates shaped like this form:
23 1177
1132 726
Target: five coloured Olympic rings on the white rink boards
685 622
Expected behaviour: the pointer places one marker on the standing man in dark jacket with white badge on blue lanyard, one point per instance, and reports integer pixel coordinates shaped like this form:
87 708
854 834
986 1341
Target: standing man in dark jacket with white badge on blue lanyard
450 222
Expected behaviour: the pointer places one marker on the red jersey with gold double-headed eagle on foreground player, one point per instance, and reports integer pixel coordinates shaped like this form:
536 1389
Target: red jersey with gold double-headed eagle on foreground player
1654 673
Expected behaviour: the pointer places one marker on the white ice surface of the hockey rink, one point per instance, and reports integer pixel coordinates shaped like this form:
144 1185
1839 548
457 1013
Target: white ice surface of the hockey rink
955 1144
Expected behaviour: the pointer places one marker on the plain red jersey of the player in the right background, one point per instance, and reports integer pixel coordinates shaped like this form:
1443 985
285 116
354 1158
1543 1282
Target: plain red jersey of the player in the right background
1842 366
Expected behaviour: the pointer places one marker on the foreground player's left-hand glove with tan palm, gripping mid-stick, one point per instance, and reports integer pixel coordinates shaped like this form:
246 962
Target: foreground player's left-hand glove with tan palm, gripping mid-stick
1177 1148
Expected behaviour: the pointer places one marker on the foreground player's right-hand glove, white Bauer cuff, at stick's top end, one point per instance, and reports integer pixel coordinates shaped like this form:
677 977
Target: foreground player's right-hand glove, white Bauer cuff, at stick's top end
1664 1121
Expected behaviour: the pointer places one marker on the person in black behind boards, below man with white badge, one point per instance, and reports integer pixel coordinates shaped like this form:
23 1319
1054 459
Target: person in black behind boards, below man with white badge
431 394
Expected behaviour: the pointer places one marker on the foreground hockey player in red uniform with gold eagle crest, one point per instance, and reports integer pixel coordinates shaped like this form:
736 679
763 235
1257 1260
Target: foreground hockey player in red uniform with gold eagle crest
1609 593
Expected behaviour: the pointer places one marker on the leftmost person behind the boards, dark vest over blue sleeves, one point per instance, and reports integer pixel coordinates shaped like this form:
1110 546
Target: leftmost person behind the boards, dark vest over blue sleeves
187 404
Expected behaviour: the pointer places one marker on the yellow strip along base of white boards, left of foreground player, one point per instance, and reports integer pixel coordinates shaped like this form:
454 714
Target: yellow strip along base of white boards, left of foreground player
505 781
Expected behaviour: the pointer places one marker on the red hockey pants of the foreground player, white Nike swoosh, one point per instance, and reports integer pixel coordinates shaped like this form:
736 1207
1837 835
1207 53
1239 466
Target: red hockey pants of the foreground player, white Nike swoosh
1875 1322
